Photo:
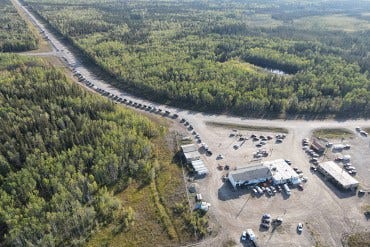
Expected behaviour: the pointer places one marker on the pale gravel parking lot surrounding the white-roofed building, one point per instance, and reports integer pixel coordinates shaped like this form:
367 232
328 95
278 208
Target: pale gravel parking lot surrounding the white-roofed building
324 212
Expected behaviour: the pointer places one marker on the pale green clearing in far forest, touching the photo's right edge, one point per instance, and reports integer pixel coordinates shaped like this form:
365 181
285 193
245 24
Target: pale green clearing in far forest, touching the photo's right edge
333 22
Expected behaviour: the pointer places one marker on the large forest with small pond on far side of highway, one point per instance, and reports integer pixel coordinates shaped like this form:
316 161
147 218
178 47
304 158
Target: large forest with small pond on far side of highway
250 58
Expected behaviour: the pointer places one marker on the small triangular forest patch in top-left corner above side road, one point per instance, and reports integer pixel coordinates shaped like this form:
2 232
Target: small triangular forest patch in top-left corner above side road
14 33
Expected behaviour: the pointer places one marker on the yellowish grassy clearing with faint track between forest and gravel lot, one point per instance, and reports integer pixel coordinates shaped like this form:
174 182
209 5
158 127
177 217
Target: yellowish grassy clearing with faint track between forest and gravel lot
155 222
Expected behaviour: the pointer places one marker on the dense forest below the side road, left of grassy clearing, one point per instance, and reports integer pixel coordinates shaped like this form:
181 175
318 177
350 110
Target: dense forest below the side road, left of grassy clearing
62 153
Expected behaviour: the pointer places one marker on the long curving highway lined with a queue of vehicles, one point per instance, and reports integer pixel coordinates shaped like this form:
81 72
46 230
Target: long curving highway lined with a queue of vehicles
195 118
